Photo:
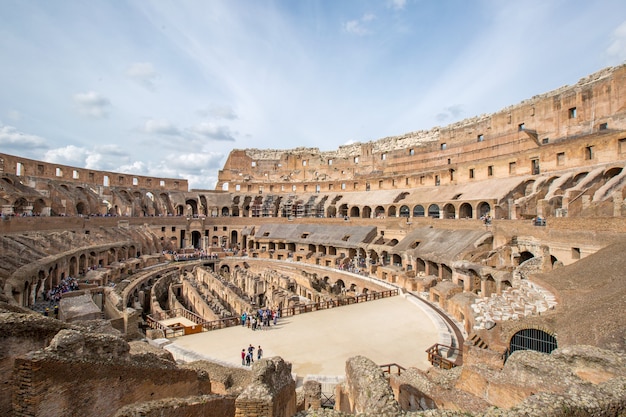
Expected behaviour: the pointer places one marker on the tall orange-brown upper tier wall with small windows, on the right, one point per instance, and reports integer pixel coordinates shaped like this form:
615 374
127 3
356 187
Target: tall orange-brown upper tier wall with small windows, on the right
595 104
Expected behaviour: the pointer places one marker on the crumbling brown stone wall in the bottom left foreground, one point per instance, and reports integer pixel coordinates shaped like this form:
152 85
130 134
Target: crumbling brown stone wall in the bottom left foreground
94 375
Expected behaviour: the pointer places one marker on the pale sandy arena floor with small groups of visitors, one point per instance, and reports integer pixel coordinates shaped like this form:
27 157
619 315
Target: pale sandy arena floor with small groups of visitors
390 330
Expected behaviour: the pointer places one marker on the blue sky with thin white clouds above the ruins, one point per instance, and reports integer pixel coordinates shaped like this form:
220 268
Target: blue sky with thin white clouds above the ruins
168 88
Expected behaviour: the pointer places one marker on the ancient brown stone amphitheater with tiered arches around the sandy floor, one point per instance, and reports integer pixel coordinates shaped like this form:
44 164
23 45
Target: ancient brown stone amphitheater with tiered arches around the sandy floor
510 226
